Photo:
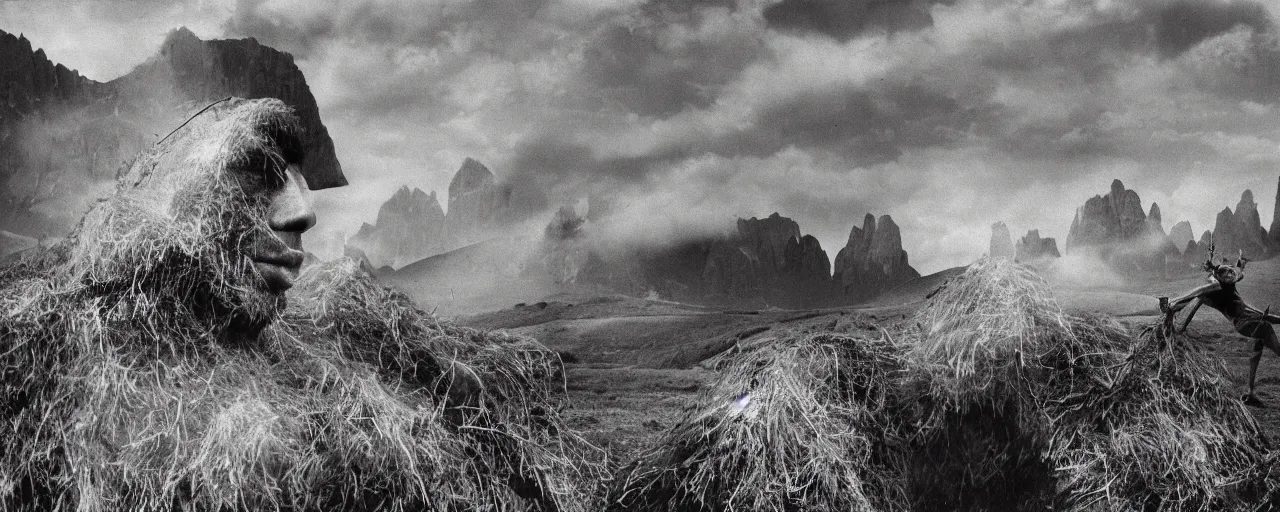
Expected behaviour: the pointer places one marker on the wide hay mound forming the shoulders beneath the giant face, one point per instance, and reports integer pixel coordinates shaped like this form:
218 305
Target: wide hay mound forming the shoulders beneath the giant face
353 401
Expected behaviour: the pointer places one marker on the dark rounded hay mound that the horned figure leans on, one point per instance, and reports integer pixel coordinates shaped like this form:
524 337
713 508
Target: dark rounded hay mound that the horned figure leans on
1148 423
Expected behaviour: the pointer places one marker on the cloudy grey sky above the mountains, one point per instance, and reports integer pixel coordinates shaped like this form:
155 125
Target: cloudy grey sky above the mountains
947 115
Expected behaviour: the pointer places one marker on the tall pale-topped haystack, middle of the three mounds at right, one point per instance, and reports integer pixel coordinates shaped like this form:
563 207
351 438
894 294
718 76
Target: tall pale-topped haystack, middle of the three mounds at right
973 424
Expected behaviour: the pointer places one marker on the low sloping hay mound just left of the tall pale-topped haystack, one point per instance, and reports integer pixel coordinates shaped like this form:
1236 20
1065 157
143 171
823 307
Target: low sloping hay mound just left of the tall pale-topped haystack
793 427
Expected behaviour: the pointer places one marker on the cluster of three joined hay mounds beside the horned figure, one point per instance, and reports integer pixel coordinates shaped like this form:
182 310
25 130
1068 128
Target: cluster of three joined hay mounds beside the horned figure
993 400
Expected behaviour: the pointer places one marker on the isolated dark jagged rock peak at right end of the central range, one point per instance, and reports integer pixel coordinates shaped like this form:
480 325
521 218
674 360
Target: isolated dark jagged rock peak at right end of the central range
872 260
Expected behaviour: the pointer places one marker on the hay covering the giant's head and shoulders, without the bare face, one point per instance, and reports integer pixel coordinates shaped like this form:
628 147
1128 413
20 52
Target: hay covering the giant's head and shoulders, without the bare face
132 380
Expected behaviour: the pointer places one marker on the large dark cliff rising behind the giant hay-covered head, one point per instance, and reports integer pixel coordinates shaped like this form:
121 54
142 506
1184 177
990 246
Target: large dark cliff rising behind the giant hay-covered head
63 136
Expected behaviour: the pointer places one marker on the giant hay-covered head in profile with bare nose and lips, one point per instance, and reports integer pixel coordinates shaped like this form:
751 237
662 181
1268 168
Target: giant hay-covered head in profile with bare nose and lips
213 214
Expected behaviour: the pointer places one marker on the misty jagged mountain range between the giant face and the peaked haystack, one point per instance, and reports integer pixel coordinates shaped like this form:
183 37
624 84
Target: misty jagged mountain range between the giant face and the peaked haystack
761 263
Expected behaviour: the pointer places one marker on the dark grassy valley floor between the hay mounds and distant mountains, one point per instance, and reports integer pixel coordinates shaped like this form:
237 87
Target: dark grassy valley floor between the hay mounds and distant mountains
636 365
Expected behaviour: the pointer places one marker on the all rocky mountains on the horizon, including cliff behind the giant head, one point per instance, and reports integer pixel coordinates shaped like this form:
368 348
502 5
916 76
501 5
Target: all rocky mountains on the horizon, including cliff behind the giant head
63 138
